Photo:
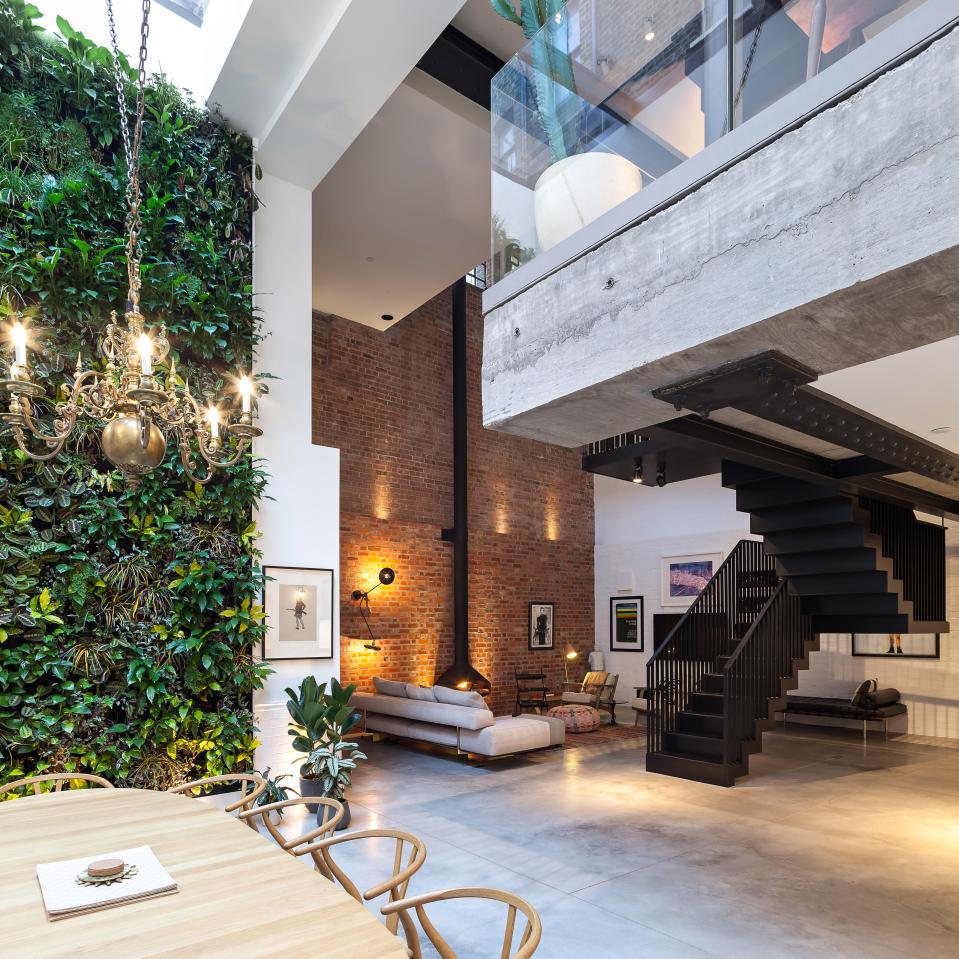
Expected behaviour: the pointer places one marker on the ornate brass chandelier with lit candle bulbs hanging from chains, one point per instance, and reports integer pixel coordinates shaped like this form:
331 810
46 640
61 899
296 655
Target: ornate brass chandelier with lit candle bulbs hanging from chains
125 394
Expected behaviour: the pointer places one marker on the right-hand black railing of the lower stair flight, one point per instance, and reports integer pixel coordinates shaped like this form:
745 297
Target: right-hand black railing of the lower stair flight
762 660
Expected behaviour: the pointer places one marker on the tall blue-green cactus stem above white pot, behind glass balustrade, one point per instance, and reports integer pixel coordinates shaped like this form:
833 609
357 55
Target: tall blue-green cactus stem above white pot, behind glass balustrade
552 72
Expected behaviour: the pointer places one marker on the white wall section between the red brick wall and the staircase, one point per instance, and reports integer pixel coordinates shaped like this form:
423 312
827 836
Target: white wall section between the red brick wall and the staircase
635 527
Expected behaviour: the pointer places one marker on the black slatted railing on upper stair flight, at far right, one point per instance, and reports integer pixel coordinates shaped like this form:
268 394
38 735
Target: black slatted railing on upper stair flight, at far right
918 554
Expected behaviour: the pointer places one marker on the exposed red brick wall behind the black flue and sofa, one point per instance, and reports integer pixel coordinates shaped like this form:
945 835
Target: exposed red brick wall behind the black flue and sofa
385 400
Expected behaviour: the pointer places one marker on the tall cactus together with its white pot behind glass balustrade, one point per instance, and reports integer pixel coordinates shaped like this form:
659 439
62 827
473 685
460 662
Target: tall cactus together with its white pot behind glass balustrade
577 186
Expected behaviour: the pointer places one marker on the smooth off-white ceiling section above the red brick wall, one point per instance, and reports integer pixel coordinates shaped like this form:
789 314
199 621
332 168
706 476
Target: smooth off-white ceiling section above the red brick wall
405 212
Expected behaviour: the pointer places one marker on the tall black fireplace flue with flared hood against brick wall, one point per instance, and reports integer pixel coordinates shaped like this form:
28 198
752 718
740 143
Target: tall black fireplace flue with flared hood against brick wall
461 675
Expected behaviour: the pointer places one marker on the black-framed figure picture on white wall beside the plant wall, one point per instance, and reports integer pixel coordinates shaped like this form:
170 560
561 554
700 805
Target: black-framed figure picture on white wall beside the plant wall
299 613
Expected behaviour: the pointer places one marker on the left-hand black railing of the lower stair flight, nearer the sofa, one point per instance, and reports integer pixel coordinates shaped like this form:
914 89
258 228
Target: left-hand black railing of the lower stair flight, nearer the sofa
676 669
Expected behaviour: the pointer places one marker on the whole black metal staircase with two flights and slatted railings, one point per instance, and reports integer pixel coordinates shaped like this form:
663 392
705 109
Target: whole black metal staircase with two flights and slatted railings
829 562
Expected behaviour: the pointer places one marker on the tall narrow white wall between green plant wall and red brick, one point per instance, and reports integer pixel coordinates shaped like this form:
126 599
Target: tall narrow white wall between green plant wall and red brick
299 516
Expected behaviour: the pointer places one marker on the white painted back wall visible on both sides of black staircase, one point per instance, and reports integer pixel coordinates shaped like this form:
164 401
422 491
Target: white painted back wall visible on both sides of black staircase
636 526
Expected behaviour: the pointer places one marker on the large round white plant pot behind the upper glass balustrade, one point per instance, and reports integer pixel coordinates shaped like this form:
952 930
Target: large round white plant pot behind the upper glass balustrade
575 191
